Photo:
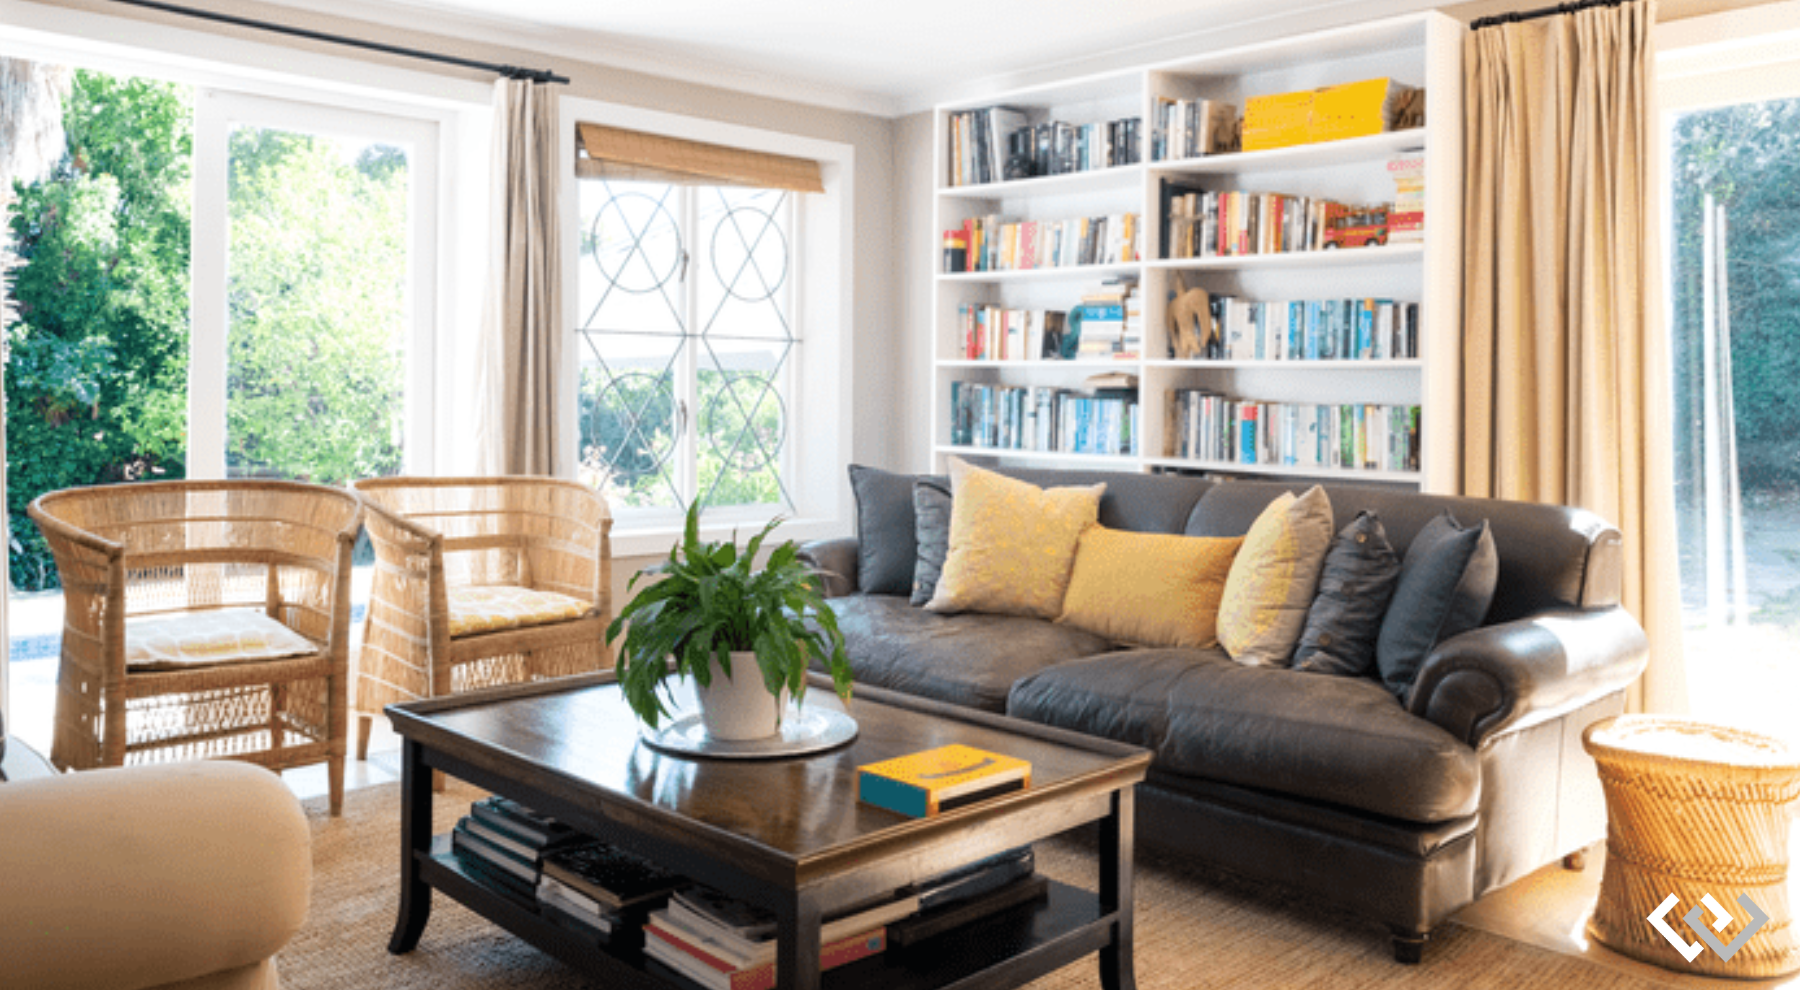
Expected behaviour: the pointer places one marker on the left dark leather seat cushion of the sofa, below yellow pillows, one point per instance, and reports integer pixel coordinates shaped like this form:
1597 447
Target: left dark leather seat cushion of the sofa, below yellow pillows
967 660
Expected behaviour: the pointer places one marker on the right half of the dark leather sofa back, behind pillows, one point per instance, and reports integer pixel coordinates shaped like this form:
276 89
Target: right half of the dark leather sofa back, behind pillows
1551 557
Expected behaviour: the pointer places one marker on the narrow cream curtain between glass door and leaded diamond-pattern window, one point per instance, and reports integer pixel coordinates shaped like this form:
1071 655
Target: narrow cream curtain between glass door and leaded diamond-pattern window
523 316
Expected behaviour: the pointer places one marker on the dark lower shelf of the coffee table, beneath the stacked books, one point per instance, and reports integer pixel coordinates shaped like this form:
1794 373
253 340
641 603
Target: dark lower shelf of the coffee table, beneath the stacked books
1007 949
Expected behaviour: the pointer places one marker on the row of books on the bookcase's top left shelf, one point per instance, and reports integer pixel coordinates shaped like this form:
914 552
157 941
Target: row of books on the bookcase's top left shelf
1000 143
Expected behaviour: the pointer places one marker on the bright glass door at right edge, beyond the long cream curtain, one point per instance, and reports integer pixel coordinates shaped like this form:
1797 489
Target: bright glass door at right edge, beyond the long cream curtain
1732 170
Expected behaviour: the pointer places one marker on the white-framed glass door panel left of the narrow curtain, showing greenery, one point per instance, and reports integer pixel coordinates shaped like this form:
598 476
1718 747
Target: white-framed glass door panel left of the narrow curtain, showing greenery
314 300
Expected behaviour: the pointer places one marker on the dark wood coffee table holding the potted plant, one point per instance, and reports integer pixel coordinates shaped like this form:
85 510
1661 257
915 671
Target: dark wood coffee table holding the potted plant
786 834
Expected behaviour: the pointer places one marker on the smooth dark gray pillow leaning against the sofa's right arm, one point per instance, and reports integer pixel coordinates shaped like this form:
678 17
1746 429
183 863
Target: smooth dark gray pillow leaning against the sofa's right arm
1446 586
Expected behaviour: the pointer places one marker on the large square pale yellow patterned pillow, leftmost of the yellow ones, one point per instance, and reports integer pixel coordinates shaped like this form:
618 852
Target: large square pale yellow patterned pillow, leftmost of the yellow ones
1012 544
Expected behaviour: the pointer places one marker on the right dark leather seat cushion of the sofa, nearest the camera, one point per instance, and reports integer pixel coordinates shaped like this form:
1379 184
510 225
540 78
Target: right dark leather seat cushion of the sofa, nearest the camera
1342 741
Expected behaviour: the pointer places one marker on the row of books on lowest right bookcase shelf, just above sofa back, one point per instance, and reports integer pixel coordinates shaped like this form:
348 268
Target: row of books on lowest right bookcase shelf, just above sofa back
1205 426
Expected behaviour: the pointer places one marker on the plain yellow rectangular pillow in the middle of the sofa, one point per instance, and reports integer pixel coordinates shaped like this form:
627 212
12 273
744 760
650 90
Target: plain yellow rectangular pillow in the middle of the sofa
1149 589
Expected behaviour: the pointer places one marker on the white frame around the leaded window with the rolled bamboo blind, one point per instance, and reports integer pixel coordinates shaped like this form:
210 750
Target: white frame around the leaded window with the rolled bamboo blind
820 397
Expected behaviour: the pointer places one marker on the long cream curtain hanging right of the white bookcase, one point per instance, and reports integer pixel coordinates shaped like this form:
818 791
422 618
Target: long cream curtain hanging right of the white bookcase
1567 370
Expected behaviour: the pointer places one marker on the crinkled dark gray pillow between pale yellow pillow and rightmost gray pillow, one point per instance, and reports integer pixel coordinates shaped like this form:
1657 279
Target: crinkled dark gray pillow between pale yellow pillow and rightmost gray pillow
1356 586
